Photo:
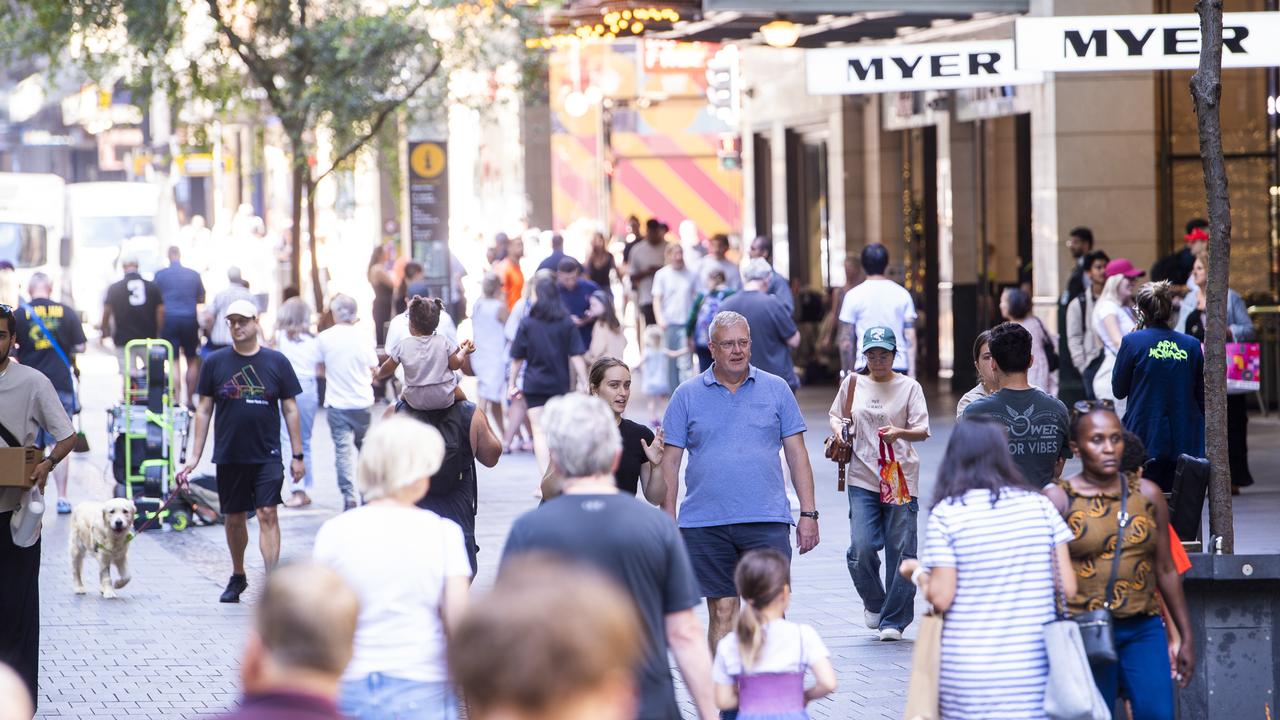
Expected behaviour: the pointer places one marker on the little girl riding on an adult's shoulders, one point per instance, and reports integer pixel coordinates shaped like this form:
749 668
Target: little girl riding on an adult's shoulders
429 359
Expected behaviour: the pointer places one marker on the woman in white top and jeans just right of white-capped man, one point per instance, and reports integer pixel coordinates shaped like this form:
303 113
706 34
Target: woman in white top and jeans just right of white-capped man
295 340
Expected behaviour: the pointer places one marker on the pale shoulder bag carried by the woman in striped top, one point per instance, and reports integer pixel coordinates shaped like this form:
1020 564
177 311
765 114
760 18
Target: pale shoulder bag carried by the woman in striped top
1071 692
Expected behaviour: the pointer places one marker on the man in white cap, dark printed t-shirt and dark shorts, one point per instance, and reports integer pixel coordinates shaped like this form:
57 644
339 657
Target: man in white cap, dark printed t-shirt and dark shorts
250 388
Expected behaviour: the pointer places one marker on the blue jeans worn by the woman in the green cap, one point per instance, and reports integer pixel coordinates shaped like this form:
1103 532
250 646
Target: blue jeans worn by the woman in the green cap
875 526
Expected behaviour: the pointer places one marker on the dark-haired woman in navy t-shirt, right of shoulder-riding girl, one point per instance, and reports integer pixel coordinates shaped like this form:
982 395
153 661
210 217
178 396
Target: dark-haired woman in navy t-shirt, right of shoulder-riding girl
550 349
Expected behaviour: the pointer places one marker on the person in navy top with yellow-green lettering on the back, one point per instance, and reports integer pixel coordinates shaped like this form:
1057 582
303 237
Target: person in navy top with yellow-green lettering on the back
1163 375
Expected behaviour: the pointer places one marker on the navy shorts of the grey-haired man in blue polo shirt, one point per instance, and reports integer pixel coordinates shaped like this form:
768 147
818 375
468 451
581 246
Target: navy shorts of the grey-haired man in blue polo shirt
715 552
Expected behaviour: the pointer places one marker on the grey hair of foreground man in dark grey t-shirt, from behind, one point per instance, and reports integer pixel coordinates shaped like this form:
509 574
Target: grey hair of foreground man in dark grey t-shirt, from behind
582 436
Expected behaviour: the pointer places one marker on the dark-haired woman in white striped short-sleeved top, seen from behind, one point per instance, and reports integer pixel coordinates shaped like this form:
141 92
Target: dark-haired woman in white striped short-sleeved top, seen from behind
993 550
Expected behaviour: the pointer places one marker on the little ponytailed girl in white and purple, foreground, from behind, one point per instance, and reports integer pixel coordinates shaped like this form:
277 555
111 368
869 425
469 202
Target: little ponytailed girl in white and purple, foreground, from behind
760 668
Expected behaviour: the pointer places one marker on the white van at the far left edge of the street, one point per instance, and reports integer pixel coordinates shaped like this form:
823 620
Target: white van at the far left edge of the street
33 216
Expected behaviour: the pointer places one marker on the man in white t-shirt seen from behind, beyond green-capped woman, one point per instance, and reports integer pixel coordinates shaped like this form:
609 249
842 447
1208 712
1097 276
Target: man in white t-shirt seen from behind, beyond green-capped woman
880 302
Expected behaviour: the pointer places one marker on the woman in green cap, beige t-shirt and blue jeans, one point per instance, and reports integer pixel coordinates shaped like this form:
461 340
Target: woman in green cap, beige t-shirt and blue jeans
889 416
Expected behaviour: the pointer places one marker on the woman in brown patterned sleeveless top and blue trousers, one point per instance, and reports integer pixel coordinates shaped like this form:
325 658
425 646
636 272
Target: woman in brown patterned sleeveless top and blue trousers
1107 508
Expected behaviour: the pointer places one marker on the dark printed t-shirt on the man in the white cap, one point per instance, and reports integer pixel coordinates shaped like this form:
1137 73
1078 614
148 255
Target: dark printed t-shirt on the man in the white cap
248 393
